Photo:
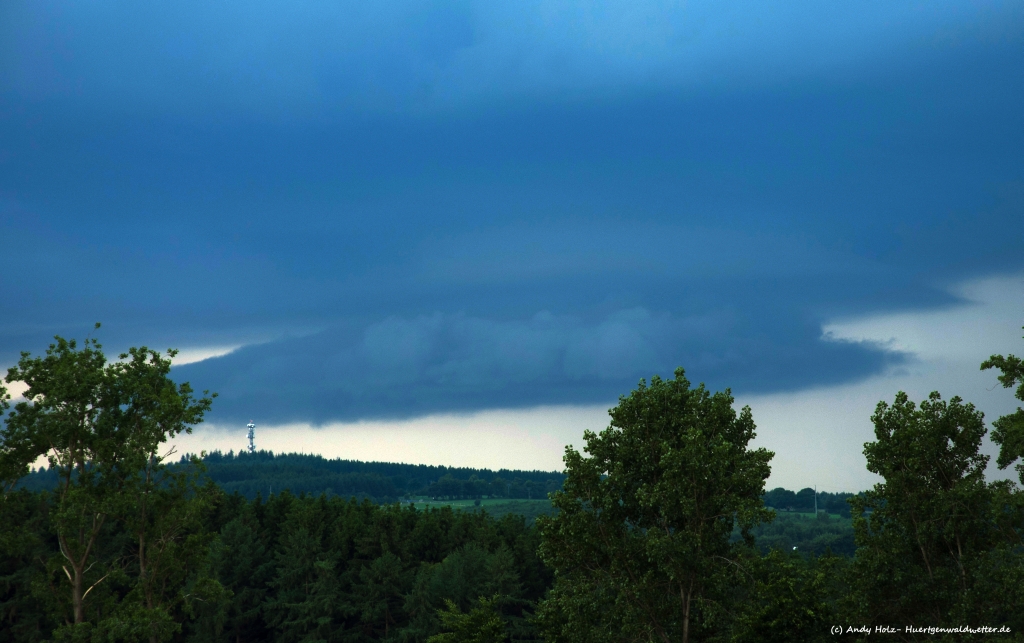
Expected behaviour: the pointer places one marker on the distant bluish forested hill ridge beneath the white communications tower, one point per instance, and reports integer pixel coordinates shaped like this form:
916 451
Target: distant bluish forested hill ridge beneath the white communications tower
265 473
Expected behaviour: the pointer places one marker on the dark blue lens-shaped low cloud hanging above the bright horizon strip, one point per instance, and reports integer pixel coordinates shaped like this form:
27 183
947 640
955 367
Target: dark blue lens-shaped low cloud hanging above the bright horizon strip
401 368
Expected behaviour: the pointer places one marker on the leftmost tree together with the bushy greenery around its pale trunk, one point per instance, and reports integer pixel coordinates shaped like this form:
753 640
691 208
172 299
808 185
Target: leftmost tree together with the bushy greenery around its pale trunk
129 531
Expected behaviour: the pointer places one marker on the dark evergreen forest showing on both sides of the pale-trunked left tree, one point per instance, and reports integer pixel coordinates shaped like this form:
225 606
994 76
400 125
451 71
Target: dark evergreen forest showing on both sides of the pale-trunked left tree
295 569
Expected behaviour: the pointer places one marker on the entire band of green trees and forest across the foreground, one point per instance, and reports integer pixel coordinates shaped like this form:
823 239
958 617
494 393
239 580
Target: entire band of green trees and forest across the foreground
656 536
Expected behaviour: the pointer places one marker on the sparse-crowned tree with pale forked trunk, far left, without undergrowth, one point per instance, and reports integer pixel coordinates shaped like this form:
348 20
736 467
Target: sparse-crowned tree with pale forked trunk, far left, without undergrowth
101 426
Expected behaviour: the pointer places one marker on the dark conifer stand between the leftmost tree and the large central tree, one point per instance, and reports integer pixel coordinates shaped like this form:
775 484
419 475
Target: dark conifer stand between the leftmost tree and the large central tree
332 570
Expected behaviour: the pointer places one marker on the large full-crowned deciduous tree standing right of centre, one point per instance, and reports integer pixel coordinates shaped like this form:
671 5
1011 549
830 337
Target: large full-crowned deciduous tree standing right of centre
642 544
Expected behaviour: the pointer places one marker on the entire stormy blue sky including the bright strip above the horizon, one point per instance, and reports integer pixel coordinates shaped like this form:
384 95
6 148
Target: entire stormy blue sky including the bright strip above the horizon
456 232
